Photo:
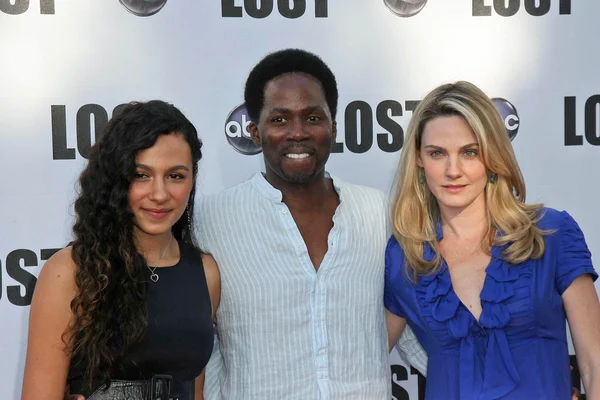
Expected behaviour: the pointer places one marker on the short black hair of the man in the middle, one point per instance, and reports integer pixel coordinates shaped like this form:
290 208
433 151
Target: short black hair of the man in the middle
283 62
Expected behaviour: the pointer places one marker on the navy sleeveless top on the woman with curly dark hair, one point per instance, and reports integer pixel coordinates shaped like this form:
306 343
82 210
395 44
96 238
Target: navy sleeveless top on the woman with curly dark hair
180 334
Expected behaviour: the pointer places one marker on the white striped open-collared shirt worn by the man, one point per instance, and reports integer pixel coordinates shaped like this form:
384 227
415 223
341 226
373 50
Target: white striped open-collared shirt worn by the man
287 331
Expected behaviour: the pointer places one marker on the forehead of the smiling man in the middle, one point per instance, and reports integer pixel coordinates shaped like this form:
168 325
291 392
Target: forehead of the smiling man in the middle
293 90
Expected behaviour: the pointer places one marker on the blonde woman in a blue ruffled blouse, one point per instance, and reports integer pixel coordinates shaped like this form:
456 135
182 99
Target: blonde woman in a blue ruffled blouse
484 280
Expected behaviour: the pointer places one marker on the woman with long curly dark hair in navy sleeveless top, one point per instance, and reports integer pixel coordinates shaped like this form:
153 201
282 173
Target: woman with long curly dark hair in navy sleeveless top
129 305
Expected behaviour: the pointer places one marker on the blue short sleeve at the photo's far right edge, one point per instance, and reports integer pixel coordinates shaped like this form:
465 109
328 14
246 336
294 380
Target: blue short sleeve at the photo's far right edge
574 257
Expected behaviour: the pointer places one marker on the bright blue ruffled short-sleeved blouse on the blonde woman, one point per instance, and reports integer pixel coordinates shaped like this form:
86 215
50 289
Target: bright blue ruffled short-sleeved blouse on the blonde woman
518 348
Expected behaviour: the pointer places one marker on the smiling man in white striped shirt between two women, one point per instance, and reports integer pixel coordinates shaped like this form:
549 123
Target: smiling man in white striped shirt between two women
301 313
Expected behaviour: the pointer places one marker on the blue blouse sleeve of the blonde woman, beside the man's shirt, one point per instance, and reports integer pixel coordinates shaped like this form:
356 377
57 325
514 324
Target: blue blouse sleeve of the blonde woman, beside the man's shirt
394 270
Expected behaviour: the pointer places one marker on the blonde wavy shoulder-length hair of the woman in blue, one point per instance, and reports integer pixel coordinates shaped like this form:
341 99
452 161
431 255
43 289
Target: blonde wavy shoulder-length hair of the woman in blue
415 211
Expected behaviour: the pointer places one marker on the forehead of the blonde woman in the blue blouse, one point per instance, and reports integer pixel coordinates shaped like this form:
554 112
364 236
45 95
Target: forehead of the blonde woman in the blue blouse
448 131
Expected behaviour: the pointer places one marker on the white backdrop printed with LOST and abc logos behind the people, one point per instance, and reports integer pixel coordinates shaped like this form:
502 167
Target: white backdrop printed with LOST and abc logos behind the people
57 56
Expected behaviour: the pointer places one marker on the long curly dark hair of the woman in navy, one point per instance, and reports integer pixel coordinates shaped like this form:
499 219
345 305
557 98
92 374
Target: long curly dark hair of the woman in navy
110 314
